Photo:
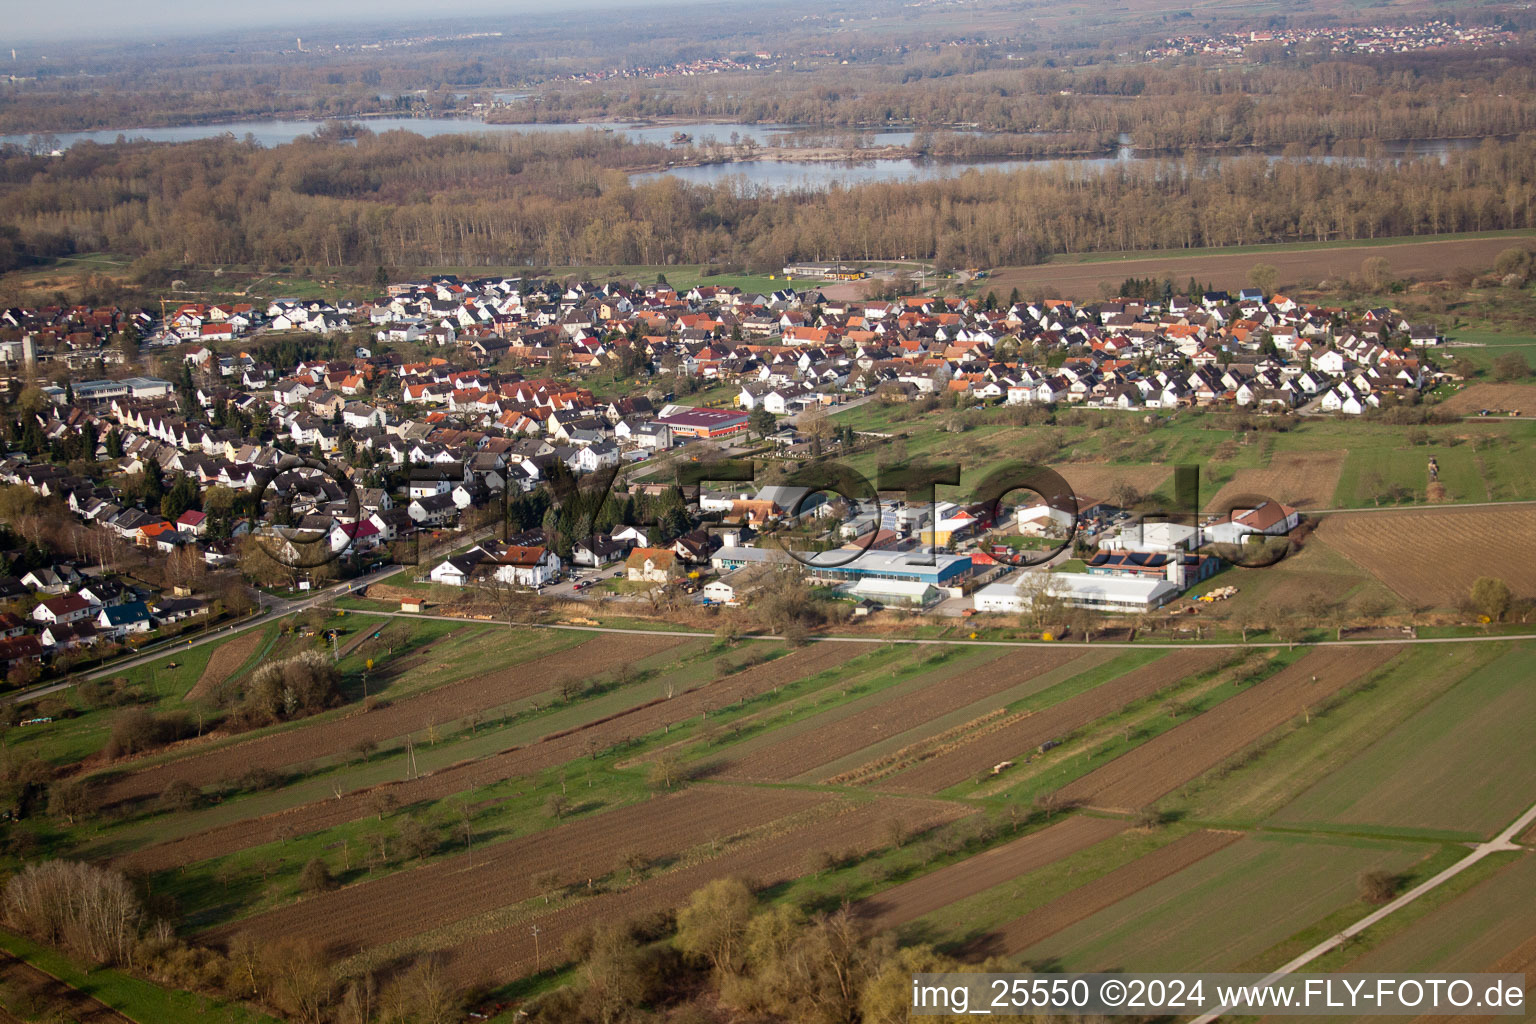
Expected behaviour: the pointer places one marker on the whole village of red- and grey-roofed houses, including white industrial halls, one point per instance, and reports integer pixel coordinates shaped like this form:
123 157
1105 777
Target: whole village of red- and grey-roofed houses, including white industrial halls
302 443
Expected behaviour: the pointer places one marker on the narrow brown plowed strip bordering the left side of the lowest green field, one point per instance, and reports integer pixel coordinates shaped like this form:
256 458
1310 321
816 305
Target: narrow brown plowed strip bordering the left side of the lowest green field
1101 894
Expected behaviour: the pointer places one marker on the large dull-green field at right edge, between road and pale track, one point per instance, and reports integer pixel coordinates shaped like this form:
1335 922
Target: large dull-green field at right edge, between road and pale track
1432 773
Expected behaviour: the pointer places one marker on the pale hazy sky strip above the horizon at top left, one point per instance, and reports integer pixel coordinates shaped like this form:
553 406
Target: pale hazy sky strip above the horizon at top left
30 24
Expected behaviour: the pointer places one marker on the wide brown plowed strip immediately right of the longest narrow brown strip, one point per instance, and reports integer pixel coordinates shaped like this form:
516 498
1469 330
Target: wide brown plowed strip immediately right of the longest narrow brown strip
889 718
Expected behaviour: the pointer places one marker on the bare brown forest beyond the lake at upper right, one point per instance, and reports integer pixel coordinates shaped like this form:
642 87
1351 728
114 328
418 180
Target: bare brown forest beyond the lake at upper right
1159 107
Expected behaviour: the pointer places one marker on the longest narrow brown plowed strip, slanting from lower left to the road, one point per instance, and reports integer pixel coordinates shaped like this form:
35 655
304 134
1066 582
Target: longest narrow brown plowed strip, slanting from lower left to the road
548 753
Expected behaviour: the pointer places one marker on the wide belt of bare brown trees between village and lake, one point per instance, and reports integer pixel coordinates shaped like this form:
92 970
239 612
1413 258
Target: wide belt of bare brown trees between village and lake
400 200
